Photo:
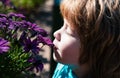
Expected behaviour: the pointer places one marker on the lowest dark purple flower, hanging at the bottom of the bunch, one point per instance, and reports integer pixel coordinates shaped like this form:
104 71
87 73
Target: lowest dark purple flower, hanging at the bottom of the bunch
36 63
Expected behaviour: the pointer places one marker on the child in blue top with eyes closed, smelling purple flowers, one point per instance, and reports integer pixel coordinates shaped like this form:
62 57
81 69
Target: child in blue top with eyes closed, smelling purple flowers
88 43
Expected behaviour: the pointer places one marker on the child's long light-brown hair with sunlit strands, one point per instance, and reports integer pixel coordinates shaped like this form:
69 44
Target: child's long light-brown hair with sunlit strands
98 24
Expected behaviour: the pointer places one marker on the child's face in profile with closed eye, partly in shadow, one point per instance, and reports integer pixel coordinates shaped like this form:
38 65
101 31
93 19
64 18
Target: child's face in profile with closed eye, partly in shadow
67 45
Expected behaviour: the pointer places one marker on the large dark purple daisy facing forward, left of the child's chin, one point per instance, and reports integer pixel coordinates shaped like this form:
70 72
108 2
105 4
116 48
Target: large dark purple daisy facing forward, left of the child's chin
31 45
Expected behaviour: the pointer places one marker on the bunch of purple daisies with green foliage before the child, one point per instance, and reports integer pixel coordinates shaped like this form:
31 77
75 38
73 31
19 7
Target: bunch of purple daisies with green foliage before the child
20 43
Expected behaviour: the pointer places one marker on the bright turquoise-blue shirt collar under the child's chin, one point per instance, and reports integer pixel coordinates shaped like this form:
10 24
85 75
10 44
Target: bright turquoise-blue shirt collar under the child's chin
63 71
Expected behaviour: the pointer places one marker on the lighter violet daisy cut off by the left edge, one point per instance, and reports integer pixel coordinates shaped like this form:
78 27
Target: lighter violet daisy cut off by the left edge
4 45
